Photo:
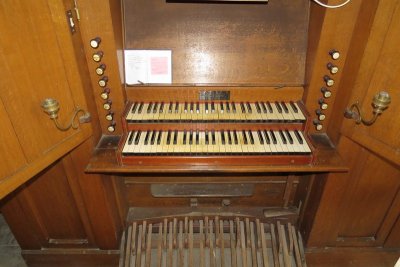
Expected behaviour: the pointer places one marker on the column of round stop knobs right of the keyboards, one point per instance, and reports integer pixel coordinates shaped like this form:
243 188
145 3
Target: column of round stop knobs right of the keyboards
326 90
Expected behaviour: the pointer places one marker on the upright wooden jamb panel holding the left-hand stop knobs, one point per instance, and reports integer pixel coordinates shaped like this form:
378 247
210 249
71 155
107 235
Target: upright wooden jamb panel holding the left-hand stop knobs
100 20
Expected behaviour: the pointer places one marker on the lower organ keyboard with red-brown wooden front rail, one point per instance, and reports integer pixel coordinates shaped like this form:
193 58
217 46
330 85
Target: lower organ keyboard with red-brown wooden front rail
222 147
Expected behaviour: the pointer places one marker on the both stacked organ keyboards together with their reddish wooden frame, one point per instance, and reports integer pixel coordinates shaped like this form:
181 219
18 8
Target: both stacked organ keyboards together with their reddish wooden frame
209 132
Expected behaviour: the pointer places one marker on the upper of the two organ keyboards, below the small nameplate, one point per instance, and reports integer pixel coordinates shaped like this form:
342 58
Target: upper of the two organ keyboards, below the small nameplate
215 112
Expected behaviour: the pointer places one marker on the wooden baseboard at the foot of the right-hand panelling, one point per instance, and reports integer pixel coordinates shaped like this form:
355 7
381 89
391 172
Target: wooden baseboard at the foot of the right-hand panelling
351 258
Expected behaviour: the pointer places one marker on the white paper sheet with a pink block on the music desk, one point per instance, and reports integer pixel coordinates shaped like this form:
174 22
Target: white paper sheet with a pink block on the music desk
148 66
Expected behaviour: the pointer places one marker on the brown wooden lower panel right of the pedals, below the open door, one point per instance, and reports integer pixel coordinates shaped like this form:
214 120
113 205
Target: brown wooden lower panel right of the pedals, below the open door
364 199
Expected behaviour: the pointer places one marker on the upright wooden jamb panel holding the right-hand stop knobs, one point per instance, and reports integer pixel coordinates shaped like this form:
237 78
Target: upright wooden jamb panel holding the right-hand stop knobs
329 29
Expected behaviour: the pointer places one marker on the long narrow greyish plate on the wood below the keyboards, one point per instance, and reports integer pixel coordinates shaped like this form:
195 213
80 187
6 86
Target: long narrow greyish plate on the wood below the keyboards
202 190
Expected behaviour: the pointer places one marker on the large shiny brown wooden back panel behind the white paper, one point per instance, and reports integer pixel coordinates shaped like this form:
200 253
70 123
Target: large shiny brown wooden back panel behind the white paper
219 43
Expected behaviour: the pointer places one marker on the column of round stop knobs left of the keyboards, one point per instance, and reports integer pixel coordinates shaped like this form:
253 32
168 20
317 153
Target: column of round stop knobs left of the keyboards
97 57
